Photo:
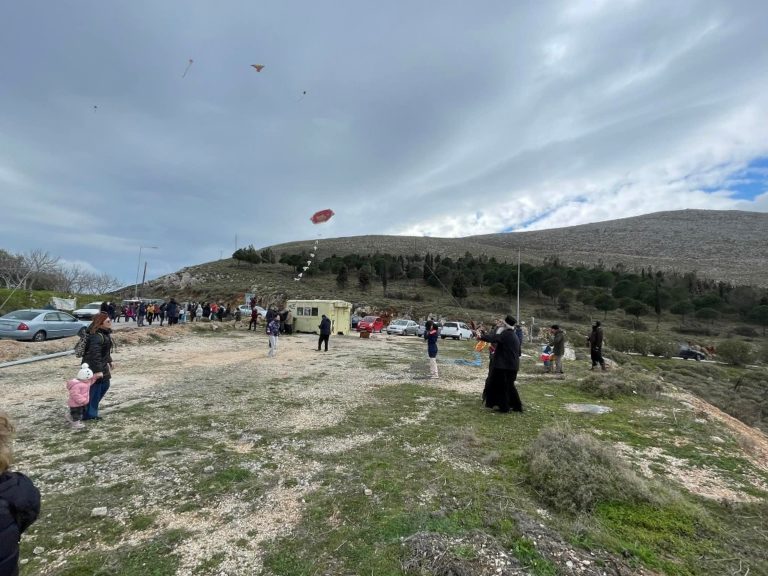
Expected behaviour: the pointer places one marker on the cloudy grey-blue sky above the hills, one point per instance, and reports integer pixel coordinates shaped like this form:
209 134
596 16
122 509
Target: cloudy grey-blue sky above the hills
417 118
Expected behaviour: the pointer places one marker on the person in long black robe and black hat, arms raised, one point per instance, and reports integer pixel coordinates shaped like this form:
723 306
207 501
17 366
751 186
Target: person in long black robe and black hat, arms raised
501 390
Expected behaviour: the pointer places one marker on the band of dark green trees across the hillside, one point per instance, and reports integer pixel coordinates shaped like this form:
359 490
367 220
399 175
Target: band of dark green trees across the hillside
644 292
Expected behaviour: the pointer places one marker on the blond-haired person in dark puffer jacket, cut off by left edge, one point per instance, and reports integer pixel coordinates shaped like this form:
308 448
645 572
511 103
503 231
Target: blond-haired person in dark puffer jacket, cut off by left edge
19 503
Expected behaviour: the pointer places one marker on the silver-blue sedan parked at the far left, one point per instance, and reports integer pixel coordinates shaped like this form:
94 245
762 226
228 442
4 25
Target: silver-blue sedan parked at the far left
39 325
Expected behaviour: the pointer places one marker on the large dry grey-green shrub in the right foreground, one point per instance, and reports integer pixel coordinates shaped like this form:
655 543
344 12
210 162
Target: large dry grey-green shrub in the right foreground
573 472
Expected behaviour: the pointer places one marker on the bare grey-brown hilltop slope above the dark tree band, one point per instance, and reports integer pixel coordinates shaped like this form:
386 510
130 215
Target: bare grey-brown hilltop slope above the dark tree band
725 245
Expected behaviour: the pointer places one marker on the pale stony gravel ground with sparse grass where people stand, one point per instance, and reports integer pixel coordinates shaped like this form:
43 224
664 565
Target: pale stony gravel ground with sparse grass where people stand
175 402
